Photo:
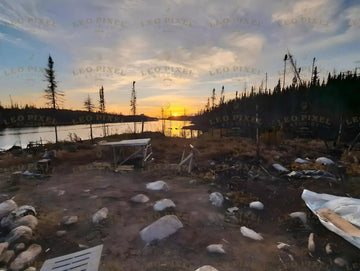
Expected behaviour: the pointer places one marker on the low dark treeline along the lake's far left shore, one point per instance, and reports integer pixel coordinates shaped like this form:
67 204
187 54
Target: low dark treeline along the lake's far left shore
30 116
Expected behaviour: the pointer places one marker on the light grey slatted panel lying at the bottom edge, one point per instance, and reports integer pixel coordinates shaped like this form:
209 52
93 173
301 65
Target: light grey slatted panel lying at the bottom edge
84 260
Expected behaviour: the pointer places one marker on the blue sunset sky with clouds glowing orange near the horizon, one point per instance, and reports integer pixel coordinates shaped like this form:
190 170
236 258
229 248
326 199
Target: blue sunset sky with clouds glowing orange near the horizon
176 51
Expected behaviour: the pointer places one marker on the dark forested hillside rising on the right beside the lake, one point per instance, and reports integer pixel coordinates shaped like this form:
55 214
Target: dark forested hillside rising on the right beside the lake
309 109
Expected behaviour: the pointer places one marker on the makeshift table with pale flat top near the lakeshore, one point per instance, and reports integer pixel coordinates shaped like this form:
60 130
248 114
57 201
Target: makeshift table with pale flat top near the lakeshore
142 149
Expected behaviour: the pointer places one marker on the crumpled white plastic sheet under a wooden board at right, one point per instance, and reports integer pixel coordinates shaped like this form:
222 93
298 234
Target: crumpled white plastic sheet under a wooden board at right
347 208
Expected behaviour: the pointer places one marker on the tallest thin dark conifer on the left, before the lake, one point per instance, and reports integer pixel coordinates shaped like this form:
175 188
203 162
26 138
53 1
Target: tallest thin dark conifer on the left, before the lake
52 95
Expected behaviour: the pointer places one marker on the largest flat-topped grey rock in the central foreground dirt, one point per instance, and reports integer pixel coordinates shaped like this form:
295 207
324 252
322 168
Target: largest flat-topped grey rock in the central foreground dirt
161 228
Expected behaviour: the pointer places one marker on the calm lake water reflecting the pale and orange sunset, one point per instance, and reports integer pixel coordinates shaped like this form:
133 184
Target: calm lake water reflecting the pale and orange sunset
22 136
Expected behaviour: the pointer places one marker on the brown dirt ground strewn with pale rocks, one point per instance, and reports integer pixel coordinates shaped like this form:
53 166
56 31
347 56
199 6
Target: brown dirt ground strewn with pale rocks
78 188
